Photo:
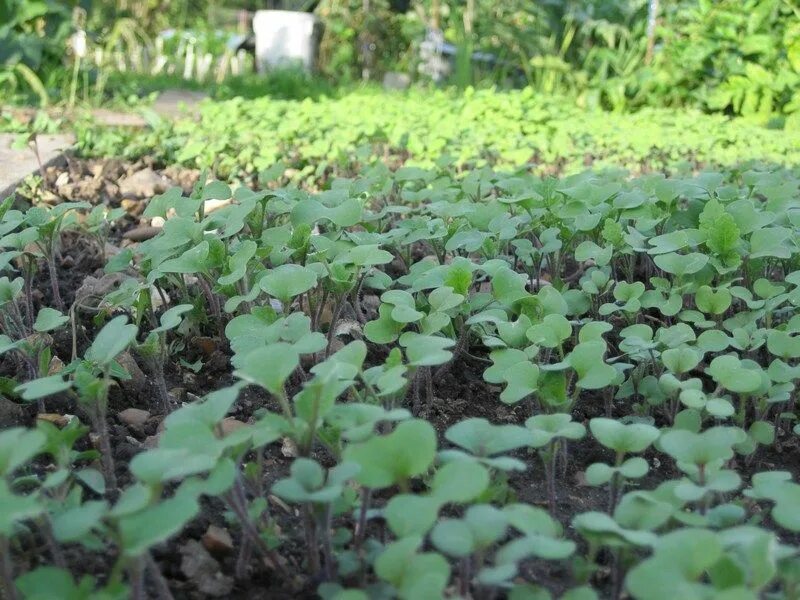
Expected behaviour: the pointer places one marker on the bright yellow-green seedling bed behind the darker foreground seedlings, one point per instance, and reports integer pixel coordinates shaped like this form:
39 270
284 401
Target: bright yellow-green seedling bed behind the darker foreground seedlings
241 137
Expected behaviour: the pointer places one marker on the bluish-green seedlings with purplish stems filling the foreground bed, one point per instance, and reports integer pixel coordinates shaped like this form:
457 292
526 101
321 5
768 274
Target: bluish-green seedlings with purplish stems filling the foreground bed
413 384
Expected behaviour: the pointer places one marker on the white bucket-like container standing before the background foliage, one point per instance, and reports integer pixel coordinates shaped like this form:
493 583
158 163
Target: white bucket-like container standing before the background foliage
285 38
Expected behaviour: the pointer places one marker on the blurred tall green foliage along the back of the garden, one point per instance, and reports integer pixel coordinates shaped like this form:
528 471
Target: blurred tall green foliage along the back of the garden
727 56
